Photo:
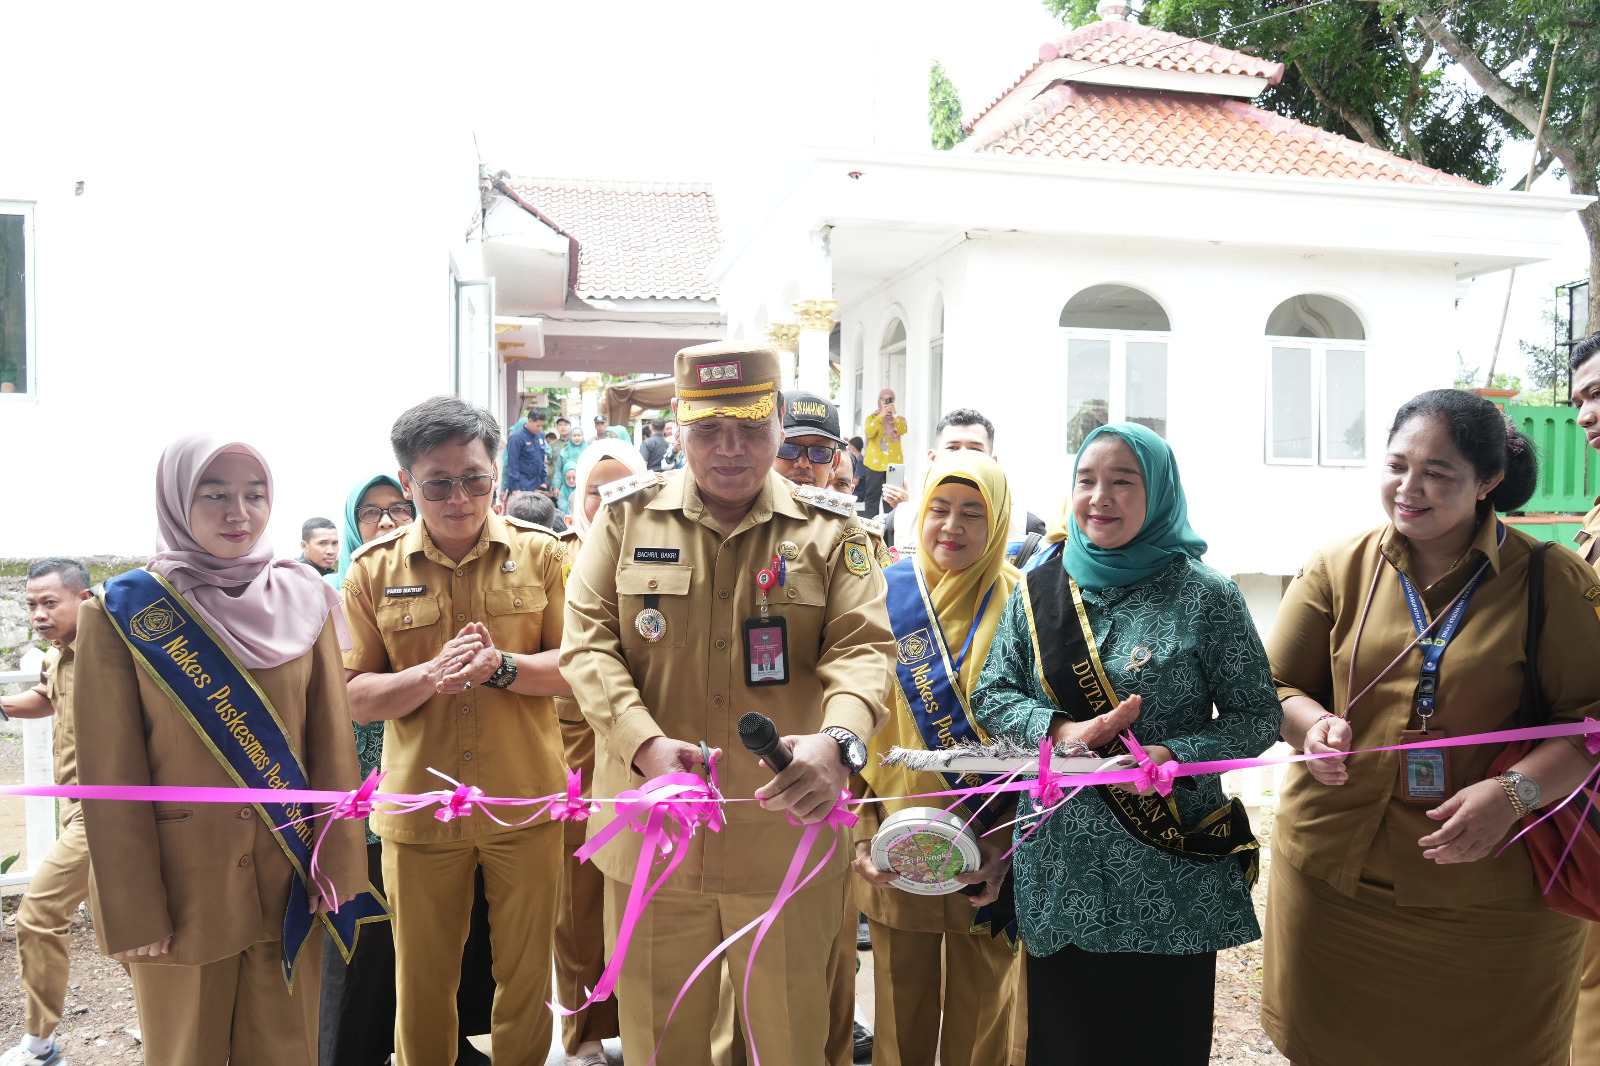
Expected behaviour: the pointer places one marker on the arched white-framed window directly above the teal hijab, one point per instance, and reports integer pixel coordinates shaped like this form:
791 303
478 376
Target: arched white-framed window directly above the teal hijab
1116 361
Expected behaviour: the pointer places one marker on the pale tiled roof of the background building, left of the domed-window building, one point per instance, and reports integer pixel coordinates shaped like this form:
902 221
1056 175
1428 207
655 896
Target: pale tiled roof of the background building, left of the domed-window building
636 241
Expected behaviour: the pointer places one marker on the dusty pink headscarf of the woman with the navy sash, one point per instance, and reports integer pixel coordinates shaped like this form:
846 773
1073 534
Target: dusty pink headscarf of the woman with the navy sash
279 606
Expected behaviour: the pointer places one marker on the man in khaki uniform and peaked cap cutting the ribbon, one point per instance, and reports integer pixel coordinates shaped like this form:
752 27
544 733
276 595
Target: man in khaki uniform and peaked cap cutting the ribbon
665 638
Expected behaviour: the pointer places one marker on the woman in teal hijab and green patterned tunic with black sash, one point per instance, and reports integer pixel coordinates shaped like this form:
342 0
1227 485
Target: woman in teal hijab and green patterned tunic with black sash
1126 900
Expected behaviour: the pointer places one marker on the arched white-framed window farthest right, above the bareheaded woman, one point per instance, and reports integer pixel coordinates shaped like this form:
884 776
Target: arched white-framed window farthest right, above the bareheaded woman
1316 383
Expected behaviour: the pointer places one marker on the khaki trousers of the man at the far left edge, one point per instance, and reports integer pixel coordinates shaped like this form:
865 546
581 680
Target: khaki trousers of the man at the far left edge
44 923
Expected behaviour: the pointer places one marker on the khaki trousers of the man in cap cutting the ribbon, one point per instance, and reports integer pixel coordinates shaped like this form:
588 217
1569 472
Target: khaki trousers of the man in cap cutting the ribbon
790 984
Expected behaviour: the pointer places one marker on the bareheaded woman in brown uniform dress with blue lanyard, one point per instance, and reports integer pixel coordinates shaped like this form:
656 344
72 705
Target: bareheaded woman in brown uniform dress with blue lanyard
1396 929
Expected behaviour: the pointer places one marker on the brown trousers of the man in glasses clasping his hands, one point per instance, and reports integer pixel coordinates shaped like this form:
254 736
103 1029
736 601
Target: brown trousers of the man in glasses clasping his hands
431 892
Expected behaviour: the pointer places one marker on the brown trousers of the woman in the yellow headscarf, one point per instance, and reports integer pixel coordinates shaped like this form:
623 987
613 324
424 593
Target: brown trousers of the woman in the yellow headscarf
969 1024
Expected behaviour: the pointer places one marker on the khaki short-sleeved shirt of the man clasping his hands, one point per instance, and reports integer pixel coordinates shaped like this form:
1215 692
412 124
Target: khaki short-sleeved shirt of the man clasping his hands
404 599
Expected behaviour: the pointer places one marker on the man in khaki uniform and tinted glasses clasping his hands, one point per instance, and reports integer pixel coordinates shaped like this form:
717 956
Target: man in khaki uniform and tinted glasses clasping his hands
455 622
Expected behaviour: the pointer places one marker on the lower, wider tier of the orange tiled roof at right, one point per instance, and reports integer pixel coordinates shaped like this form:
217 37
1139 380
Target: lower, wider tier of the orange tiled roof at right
1188 130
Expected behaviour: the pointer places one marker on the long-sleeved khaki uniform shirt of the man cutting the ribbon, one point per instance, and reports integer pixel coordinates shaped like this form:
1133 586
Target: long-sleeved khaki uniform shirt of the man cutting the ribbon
690 684
